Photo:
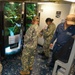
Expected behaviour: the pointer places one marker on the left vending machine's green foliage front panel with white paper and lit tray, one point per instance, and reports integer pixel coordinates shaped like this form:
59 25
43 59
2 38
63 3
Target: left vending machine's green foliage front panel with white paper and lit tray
12 27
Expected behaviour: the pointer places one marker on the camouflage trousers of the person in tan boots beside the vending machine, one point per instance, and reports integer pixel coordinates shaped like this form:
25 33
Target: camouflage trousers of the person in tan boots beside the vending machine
27 58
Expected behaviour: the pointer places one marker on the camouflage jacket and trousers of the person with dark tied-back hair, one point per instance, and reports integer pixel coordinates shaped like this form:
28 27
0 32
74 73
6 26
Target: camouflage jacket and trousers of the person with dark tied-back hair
48 34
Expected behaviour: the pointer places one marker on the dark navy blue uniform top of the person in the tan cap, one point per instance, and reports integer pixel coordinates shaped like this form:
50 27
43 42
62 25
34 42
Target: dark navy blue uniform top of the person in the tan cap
62 35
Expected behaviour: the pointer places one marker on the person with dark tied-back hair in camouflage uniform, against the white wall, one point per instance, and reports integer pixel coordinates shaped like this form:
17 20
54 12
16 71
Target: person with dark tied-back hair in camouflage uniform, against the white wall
48 34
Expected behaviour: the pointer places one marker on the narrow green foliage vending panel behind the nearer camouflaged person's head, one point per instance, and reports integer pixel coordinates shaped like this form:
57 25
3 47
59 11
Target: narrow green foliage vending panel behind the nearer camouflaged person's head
30 12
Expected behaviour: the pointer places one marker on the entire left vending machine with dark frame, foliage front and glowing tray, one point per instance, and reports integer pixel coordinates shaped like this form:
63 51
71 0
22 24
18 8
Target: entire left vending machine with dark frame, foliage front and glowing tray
10 27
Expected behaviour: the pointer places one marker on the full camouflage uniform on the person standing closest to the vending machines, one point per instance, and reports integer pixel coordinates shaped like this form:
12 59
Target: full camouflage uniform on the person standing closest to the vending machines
28 53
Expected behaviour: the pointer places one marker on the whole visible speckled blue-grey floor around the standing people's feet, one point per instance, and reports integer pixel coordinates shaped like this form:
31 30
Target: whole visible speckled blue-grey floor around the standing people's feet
12 65
